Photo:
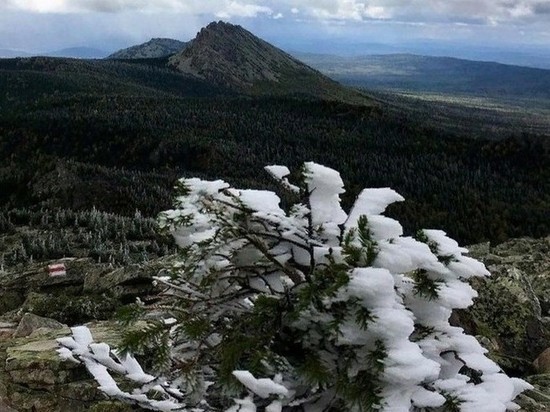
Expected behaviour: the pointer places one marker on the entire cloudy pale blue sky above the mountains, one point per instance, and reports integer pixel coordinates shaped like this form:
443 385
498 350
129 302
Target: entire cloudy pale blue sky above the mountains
42 25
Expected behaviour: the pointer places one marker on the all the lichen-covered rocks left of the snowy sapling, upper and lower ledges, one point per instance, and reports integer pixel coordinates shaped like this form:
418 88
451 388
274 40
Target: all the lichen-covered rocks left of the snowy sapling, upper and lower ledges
35 309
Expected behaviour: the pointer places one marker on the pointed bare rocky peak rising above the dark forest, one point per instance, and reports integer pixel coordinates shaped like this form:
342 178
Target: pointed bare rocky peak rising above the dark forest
232 57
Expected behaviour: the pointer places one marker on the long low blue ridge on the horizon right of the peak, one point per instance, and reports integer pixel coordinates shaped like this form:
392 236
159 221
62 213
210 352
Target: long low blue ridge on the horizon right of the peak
409 72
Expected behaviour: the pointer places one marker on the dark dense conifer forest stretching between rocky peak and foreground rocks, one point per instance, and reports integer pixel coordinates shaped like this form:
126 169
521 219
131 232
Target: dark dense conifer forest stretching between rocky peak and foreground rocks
82 138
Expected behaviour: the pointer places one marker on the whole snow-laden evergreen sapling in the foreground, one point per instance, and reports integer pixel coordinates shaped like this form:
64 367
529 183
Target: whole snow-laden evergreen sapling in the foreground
304 308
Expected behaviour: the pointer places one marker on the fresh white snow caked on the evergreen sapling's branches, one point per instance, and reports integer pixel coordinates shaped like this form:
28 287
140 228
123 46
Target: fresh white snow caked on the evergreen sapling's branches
273 252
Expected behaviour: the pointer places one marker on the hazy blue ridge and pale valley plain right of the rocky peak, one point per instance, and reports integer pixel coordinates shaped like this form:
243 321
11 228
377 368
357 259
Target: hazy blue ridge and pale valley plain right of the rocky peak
450 93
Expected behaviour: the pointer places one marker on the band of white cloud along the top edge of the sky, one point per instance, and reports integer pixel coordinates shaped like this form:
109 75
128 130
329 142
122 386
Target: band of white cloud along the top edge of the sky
485 12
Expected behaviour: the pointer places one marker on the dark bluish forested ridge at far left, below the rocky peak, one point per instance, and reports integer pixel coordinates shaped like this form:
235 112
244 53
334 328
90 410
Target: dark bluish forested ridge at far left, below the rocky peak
74 77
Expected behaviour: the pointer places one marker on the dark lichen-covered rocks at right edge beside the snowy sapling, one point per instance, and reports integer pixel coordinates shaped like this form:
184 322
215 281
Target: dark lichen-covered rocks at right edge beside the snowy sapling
513 304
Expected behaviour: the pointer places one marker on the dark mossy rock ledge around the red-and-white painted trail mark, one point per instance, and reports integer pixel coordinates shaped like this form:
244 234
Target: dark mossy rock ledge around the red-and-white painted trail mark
88 291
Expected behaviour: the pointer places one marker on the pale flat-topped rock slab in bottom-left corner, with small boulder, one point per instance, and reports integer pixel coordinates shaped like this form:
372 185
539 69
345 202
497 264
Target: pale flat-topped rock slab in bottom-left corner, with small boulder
35 378
